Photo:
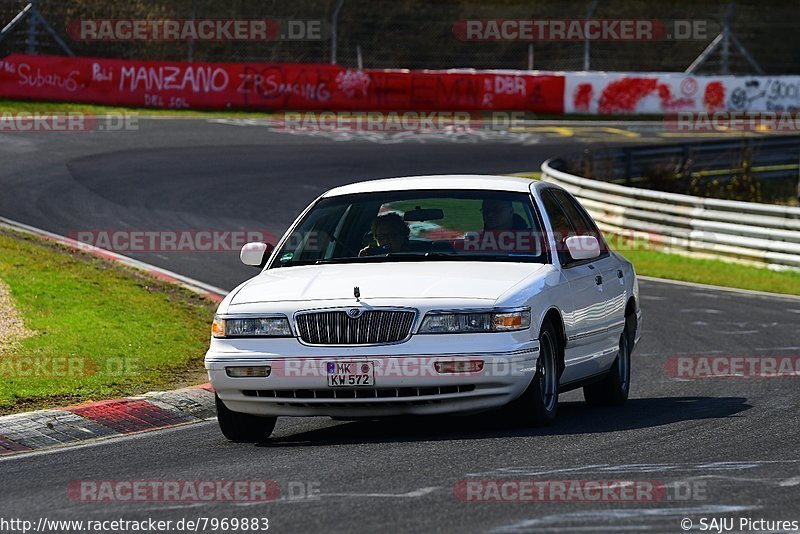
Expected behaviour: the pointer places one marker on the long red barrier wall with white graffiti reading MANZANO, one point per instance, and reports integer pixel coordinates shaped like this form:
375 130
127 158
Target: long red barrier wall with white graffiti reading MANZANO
173 84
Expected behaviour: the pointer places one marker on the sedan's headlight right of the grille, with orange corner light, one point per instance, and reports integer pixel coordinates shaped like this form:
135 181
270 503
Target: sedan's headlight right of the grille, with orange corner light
456 323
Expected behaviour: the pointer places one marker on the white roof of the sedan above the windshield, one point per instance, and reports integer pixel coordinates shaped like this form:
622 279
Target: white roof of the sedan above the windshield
437 181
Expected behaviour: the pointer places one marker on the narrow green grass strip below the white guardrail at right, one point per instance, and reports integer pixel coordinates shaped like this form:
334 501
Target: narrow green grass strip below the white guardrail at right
657 263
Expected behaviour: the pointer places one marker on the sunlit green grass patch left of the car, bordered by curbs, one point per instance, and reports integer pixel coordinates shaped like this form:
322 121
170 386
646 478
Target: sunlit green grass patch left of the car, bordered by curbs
122 332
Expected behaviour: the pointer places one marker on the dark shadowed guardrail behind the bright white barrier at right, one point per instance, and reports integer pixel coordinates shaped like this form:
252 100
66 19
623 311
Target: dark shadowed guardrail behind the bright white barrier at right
768 159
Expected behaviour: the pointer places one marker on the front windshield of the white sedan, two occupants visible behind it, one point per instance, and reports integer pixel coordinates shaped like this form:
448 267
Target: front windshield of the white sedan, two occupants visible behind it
416 226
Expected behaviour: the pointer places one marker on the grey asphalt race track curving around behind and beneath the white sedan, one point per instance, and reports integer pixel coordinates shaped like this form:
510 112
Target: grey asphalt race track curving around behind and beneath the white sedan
725 447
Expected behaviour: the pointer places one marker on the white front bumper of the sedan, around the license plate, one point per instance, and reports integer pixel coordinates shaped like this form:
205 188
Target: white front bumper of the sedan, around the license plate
405 384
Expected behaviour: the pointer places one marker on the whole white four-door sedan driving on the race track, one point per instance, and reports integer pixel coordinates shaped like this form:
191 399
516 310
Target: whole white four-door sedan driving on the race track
426 295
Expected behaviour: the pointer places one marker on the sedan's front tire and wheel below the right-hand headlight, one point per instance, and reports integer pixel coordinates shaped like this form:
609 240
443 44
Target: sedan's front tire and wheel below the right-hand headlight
539 404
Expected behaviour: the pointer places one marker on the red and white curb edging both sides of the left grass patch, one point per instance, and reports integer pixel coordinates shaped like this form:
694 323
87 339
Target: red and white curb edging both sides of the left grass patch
45 429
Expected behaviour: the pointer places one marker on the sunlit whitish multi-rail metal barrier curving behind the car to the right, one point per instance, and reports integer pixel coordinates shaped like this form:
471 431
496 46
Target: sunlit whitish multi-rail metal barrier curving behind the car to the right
745 231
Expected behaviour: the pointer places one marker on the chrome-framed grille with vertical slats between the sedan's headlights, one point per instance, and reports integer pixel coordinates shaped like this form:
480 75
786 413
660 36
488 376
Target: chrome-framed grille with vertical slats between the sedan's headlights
337 328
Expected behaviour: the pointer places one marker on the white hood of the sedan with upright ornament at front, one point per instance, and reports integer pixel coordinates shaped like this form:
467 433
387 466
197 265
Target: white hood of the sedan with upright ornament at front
463 279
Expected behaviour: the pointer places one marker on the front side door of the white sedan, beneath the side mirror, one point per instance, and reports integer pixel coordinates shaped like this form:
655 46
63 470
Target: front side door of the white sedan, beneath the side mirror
585 321
